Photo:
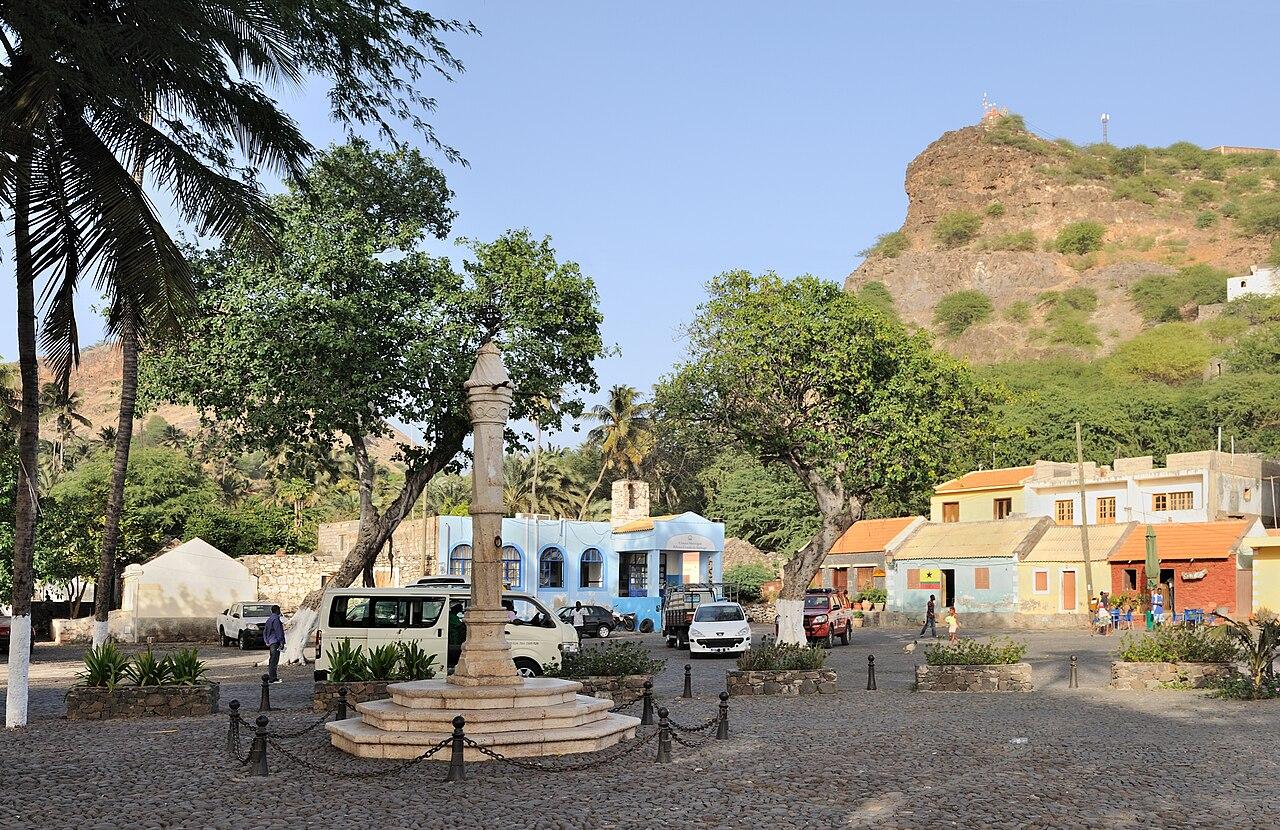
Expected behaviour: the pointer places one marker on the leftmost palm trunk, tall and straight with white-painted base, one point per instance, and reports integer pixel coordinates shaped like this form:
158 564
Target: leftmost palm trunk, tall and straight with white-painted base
29 437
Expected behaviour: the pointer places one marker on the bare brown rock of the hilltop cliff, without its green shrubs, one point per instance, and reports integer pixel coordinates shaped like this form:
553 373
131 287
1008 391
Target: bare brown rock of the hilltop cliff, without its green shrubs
1039 190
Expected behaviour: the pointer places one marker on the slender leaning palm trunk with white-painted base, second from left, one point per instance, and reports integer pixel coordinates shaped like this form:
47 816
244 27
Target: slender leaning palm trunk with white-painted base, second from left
106 590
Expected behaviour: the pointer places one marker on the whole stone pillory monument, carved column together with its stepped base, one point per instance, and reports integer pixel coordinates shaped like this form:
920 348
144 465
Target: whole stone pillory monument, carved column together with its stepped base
505 713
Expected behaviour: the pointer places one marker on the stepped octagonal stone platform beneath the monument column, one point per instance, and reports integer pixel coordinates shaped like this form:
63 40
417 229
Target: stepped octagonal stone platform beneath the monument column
543 717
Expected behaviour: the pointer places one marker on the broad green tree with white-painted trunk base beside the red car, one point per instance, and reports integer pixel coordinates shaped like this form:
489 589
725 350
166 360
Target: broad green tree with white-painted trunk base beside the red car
799 373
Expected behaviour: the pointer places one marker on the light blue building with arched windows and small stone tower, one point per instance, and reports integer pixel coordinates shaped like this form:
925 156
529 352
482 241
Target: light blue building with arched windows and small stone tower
623 564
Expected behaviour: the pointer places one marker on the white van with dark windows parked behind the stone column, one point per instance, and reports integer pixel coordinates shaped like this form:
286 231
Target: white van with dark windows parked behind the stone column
420 614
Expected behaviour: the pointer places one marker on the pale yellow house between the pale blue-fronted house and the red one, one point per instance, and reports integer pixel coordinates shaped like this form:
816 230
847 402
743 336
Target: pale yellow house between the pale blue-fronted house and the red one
1052 578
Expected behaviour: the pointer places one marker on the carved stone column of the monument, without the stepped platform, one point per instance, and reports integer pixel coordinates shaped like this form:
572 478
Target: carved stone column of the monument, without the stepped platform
486 659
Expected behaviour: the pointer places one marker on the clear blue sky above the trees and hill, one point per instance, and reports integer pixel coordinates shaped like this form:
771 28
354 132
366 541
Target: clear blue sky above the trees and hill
662 143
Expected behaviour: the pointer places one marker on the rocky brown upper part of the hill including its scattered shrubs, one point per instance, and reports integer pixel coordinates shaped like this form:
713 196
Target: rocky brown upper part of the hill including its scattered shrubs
1160 211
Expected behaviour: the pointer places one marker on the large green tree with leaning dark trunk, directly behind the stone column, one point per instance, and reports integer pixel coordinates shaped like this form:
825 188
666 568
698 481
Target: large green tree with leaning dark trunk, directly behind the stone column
353 327
